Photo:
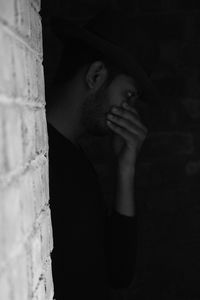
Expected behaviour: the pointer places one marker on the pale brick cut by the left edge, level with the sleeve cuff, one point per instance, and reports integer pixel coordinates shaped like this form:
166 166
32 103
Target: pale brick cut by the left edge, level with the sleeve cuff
10 220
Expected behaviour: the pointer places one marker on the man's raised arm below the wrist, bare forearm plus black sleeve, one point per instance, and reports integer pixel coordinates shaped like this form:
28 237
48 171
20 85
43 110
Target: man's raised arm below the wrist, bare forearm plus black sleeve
122 233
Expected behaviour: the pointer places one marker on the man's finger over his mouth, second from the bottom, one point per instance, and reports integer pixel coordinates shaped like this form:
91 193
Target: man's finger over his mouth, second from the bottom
131 126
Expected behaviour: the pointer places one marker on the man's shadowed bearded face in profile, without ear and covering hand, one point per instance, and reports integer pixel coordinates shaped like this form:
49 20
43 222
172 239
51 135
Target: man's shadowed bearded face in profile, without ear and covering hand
122 88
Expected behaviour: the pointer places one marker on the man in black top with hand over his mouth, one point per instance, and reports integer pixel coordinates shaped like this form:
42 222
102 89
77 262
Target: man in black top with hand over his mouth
92 93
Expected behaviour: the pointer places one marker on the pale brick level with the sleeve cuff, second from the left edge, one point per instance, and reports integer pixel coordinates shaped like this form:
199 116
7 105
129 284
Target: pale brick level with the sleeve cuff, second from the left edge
27 202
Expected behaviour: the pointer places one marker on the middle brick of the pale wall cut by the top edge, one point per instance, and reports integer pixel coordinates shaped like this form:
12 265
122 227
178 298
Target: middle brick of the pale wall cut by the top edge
23 17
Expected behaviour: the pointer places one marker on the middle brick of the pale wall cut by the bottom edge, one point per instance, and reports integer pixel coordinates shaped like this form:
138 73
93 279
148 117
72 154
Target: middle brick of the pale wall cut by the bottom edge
18 277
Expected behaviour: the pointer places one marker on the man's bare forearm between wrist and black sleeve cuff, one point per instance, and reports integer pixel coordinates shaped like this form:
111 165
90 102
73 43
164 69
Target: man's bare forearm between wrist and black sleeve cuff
124 198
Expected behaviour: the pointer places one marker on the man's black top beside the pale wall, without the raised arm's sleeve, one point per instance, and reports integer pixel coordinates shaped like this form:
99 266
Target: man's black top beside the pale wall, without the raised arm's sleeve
78 261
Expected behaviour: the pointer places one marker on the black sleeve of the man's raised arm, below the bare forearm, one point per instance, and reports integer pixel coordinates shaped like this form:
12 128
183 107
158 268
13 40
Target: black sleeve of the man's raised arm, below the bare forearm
120 249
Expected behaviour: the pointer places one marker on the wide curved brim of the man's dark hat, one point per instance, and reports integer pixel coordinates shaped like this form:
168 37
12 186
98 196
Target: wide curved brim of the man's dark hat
63 29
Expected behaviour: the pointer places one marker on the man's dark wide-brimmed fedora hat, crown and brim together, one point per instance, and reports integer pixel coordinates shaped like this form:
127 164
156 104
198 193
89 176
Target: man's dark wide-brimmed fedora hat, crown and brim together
111 34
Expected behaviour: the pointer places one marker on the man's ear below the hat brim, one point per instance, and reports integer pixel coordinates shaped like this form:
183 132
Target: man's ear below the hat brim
96 75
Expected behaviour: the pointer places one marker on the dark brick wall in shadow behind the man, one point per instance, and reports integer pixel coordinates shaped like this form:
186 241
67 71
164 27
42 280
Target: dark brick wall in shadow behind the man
168 168
